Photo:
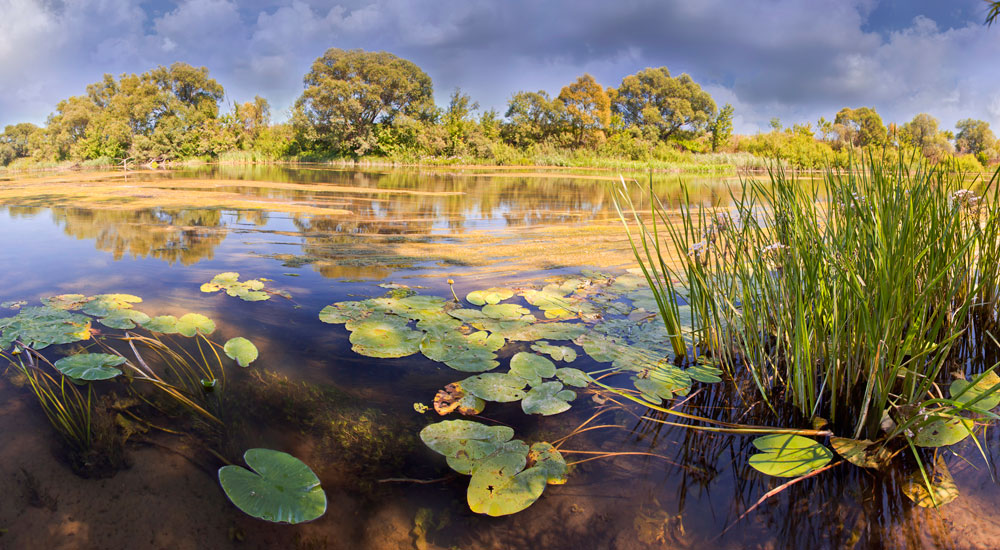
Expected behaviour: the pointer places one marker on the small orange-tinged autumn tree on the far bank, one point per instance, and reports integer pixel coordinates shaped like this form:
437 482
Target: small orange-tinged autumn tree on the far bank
533 117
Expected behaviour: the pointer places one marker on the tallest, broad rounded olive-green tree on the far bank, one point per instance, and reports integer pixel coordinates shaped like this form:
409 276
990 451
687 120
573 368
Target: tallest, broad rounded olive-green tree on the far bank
348 92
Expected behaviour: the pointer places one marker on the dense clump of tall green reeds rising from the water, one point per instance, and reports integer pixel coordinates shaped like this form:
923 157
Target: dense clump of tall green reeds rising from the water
853 298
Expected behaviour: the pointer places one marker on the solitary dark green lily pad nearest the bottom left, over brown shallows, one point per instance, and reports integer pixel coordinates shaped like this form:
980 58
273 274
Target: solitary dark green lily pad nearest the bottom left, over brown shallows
280 488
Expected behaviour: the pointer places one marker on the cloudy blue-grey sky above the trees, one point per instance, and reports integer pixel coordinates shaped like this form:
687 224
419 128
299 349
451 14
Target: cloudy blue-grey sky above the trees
796 60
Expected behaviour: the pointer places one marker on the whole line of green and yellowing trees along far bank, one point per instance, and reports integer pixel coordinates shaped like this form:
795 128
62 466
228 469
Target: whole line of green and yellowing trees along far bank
374 104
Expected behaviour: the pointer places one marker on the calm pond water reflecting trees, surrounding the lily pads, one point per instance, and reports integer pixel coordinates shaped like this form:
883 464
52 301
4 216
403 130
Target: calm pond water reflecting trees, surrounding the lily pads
323 236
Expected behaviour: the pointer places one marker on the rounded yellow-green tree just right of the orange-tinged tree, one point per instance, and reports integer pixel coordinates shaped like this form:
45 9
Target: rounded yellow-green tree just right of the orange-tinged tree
653 98
